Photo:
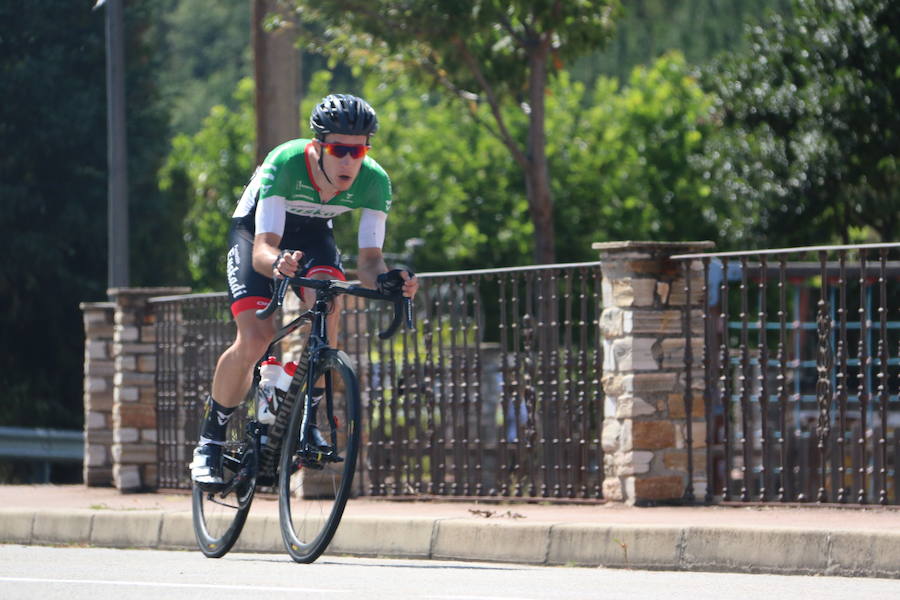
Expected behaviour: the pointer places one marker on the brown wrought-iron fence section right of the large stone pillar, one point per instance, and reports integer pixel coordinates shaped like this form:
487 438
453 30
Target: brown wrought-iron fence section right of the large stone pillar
801 374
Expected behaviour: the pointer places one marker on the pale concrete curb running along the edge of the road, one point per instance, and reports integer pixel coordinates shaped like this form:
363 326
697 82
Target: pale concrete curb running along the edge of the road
787 551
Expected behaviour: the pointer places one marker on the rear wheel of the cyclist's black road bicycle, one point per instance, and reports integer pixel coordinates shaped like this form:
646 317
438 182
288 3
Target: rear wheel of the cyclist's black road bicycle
218 518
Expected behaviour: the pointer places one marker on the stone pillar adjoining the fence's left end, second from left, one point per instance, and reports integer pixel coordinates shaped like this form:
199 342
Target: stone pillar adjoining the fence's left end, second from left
134 451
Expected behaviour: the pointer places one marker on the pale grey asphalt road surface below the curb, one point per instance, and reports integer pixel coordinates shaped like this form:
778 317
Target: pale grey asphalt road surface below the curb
28 572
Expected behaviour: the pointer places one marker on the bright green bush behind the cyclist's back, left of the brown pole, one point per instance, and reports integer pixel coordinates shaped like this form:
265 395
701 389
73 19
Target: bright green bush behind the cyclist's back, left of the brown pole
210 170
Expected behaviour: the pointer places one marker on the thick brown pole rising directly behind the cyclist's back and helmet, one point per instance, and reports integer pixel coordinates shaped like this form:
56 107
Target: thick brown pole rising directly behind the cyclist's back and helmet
276 66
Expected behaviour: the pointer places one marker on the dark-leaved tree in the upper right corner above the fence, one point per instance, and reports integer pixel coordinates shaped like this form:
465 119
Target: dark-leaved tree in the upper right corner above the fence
810 144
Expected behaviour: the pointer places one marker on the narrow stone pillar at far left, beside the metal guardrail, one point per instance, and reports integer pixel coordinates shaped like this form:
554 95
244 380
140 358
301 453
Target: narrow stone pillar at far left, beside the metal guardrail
99 368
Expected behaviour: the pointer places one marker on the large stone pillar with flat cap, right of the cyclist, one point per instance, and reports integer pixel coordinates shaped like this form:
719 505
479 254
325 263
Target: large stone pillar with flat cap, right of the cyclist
644 369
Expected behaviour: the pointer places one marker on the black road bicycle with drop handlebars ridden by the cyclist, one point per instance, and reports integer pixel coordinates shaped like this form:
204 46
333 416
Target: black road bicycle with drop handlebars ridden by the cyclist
313 481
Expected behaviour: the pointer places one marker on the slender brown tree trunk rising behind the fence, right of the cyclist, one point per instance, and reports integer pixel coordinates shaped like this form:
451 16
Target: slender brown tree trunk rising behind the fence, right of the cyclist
537 175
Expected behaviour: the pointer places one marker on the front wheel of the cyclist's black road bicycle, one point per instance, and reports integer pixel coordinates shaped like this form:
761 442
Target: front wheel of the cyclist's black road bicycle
311 501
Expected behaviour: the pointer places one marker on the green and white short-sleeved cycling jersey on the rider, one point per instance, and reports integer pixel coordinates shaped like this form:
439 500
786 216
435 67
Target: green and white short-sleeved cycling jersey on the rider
281 197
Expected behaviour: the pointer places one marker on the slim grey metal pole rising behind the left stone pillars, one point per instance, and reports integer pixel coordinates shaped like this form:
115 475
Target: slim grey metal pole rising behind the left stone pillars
117 152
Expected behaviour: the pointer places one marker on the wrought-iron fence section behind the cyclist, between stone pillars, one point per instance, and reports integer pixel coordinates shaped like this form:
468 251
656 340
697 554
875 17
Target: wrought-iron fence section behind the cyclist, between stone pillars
497 393
